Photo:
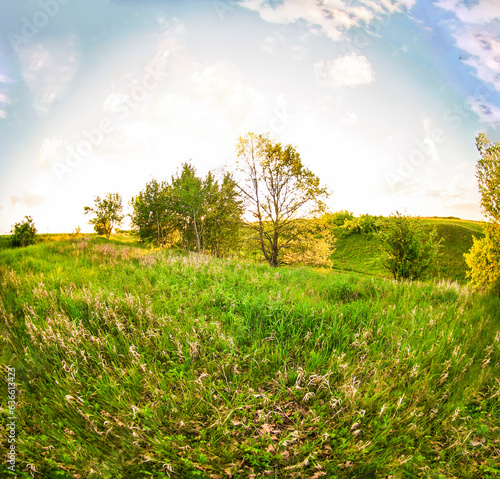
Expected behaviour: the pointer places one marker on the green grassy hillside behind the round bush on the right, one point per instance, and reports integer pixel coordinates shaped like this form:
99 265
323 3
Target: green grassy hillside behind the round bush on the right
362 253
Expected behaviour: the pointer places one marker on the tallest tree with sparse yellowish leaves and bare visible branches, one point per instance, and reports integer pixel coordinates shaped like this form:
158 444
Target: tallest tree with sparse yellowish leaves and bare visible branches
278 190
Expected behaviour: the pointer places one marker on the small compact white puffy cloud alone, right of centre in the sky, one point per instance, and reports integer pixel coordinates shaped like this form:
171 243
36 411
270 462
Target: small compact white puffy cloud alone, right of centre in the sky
346 70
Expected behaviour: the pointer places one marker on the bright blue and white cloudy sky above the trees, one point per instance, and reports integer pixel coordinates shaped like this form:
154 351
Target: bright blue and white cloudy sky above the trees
383 99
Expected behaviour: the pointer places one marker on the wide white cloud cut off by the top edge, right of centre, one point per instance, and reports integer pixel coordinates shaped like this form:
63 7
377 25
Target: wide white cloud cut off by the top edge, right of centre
331 17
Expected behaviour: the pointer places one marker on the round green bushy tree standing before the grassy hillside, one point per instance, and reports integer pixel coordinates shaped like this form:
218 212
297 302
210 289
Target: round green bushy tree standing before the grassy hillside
411 252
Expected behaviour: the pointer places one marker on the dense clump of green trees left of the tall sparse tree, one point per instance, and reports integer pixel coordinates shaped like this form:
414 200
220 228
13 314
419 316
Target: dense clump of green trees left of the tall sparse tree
200 214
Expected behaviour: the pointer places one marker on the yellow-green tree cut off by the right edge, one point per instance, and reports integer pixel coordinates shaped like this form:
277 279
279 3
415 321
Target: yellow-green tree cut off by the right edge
483 258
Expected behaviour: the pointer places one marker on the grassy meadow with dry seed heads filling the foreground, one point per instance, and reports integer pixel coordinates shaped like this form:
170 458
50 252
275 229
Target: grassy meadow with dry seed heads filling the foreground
138 363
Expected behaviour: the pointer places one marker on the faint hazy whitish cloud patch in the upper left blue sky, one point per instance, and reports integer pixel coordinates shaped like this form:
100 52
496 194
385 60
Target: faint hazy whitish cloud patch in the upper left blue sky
47 69
